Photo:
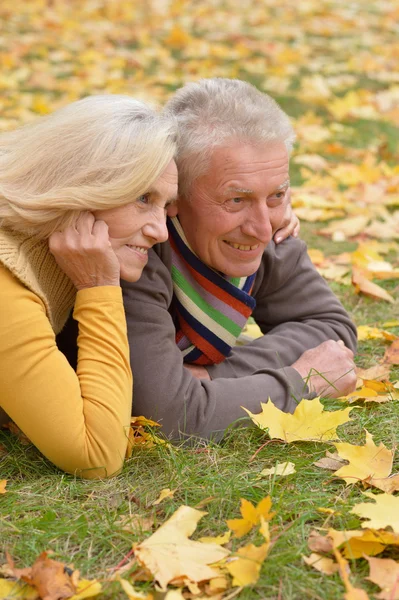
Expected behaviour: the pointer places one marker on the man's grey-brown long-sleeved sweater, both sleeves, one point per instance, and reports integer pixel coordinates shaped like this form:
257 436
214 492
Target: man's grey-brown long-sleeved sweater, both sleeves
295 309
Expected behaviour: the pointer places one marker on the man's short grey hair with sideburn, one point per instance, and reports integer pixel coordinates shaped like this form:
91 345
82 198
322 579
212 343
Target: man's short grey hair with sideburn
215 112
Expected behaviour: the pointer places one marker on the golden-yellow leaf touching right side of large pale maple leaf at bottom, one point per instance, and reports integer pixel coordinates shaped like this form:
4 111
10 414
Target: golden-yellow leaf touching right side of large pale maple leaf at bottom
245 565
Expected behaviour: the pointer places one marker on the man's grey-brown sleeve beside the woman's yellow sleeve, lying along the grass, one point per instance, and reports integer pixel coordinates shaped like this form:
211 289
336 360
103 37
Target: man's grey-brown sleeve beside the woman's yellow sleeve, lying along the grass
165 391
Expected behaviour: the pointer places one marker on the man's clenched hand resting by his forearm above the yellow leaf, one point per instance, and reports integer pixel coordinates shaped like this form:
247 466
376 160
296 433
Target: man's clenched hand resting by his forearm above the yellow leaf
328 369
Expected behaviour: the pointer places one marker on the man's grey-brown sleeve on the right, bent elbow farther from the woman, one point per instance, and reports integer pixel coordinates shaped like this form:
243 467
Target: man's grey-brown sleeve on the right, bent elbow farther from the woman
296 310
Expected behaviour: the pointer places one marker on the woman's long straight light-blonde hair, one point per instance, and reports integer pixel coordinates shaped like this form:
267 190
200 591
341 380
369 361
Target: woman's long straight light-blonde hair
97 153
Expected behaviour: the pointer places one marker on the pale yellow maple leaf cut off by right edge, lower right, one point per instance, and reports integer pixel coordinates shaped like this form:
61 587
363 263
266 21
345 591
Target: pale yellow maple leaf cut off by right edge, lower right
384 513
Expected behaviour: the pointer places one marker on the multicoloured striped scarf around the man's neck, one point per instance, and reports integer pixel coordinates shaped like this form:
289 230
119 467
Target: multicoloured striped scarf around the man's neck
211 309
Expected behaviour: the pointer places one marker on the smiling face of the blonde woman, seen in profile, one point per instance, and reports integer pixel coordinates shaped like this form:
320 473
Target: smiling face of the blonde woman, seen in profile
137 226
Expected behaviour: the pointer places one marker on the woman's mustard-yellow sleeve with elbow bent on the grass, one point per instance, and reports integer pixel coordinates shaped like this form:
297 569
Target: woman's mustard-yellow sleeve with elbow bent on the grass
79 420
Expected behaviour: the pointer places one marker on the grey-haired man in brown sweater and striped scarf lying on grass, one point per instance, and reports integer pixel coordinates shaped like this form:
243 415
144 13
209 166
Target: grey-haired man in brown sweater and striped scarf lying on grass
220 266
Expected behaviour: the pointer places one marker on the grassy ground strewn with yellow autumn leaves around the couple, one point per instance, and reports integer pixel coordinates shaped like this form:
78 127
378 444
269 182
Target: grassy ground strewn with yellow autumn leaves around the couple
333 489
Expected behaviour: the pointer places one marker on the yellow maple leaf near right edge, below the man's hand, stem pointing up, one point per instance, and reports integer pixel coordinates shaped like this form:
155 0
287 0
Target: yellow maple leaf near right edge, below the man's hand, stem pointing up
369 463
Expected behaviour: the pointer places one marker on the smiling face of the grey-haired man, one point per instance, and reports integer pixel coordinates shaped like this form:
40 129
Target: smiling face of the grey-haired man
235 208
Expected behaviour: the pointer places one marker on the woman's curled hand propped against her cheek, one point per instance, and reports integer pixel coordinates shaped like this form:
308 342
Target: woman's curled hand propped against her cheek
85 254
